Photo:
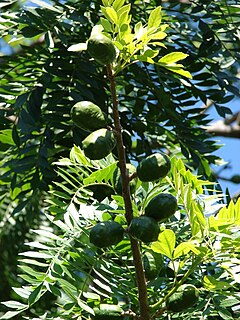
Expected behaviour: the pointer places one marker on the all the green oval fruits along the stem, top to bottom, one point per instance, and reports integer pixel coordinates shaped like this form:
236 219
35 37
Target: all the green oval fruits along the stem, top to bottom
98 144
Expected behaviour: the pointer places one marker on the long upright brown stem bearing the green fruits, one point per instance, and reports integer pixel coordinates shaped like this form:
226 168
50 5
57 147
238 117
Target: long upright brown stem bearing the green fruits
140 277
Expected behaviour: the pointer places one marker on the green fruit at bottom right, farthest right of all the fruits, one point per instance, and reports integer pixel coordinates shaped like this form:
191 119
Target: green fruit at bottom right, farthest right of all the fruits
185 297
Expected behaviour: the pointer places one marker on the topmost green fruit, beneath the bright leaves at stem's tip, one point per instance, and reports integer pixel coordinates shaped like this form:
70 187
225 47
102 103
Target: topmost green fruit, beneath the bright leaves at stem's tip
101 48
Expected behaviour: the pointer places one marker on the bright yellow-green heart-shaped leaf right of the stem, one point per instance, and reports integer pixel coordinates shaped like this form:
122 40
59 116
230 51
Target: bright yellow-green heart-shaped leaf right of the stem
165 243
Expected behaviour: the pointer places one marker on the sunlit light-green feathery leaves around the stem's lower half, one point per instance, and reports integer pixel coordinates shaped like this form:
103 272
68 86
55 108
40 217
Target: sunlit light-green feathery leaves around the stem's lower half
195 248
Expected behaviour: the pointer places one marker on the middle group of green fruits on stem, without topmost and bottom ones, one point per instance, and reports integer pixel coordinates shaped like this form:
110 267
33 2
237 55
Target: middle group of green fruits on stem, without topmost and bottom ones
89 117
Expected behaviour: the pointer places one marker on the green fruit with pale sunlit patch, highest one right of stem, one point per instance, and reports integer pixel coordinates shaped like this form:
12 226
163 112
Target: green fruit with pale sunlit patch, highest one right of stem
154 167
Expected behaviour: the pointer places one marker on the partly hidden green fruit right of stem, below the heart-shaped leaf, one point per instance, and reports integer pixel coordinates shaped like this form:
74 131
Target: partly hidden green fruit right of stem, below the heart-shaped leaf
152 263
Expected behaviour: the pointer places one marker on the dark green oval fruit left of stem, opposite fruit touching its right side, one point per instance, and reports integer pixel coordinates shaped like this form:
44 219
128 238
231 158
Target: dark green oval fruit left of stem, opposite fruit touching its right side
106 233
